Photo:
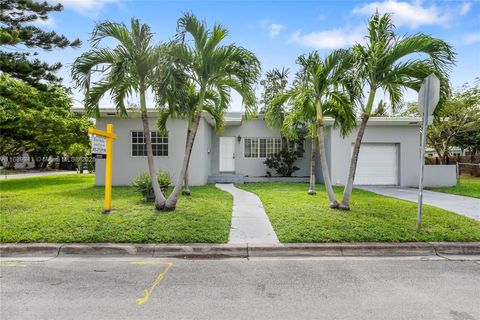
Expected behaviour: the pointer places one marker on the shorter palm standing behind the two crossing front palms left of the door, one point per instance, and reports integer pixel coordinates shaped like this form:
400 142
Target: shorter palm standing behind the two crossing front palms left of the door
183 107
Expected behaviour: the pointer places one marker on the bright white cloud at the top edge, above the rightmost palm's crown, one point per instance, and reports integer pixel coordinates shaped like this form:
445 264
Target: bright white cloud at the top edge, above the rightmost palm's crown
405 13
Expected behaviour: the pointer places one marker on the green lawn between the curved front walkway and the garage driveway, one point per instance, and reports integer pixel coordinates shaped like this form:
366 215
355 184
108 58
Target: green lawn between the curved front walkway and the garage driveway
298 217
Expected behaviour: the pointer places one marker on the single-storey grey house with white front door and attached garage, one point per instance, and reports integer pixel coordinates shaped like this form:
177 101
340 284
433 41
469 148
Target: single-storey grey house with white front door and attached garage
389 153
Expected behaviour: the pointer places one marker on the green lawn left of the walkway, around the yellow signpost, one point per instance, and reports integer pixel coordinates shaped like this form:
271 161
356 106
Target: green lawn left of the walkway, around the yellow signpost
66 208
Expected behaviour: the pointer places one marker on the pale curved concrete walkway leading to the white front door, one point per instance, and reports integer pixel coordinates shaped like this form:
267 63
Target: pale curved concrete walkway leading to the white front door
250 223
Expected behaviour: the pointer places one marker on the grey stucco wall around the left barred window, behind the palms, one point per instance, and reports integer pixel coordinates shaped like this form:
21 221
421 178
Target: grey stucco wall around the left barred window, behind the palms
126 167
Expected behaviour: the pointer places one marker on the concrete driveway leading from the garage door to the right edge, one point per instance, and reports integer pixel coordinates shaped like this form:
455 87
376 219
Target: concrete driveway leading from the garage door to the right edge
469 207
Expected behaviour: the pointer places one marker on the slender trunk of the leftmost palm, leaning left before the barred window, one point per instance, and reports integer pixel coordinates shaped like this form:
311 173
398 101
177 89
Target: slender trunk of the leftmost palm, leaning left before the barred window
159 197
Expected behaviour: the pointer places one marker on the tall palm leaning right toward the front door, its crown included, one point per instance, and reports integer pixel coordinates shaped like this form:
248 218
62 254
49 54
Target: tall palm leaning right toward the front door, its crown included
212 67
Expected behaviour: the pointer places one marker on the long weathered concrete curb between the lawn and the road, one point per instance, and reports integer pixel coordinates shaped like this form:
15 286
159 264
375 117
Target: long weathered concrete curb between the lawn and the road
212 251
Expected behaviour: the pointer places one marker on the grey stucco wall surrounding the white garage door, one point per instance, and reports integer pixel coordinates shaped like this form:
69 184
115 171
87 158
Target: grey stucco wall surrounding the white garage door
407 138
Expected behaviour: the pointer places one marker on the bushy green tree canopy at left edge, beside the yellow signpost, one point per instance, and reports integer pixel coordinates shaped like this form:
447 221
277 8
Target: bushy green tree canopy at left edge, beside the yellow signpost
38 122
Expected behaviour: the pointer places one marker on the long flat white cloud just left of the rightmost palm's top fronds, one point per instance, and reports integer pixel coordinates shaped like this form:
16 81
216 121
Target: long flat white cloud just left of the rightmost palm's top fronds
329 39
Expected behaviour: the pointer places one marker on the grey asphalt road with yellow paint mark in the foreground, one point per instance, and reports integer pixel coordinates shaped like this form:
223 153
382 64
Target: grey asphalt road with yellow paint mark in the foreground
147 288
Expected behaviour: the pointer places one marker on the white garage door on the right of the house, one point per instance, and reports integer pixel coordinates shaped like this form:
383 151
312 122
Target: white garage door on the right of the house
377 164
